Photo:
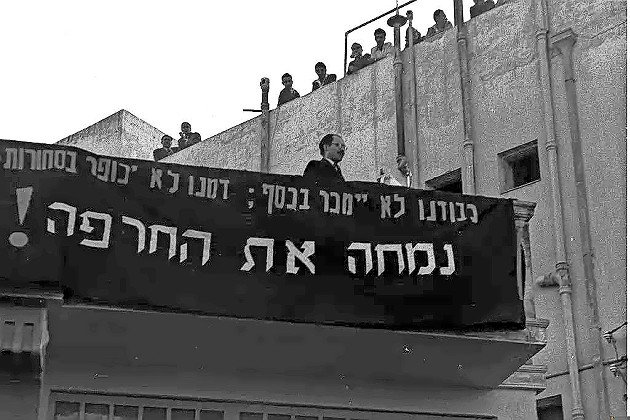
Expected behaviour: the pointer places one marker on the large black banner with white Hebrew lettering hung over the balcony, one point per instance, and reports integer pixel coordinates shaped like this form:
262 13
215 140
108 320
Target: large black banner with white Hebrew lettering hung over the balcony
141 234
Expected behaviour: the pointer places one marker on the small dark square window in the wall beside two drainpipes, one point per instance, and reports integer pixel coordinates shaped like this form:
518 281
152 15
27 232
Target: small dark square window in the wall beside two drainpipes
519 166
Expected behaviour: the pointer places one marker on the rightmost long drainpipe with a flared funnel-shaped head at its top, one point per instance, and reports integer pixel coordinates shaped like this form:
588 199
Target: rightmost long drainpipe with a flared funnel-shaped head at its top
564 43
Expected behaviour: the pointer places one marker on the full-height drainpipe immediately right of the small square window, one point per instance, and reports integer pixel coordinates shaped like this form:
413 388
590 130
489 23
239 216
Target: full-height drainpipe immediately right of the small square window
562 272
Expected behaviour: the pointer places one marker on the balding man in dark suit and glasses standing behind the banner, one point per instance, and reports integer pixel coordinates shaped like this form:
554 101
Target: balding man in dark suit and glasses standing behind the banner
332 149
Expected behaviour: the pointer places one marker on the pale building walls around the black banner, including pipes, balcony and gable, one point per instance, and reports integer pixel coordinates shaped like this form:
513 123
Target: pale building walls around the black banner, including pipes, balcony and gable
526 101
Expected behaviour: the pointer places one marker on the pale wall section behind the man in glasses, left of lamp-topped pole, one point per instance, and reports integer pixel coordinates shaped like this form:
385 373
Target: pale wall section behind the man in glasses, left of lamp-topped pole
360 107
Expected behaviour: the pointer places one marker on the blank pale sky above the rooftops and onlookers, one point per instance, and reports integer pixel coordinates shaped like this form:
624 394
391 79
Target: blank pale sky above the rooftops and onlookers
70 63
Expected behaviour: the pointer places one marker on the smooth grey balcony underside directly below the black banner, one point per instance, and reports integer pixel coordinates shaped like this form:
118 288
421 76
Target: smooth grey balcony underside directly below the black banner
83 335
